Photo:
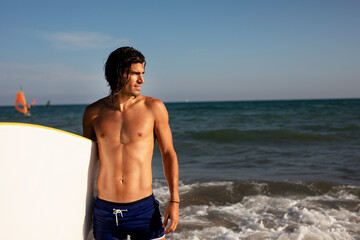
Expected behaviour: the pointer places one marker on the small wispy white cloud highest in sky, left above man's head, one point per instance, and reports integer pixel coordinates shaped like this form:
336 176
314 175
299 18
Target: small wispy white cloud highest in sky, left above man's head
82 40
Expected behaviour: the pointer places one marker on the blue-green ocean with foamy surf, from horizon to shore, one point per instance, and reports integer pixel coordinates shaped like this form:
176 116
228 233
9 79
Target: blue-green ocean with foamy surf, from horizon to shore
253 169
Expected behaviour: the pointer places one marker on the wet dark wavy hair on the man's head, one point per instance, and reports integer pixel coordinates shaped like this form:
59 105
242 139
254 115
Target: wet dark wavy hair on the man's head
118 64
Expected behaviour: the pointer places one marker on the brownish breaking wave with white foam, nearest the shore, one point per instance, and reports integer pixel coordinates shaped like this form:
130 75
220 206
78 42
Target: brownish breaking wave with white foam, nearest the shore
265 210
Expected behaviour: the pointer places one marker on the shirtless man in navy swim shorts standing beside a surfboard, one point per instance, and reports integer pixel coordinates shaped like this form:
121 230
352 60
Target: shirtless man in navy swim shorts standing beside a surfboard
125 125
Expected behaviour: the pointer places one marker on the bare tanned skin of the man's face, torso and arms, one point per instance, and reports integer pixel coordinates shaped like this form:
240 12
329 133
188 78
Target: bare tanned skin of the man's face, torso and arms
125 129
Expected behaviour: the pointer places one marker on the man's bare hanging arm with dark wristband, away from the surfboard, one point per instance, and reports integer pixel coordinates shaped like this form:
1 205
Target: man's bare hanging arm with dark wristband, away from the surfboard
170 163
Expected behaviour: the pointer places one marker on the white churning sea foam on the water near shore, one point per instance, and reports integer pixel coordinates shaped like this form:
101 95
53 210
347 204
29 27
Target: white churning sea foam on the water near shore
265 217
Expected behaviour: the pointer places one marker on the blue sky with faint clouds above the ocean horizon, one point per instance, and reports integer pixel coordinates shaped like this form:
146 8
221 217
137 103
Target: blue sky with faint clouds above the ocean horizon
195 50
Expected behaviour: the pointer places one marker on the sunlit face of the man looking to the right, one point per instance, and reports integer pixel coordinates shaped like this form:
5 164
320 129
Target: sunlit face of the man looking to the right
136 79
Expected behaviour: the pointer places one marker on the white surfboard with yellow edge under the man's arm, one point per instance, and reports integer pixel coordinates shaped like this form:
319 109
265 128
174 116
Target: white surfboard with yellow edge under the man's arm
47 183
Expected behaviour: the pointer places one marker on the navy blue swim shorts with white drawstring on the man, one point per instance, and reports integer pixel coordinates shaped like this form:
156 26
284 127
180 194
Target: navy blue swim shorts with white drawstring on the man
141 220
